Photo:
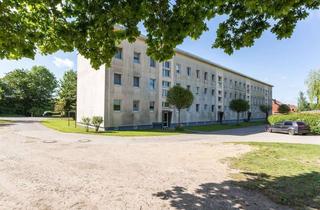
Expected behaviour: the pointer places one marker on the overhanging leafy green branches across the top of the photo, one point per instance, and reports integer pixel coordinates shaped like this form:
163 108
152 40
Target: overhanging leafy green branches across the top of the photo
89 26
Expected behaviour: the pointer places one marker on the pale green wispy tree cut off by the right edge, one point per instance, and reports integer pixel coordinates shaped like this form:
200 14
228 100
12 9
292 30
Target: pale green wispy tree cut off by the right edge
313 86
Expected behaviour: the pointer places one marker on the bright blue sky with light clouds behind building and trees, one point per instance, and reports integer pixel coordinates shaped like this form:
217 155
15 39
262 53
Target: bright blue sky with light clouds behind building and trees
282 63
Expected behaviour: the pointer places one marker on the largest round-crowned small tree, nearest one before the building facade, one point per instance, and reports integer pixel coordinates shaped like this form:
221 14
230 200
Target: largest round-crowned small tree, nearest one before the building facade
181 98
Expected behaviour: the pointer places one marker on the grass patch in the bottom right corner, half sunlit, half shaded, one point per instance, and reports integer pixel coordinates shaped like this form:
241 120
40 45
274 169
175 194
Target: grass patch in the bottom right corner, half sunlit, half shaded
288 174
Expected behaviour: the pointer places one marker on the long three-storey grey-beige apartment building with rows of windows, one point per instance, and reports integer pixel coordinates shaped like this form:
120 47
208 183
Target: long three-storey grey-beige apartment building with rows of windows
132 92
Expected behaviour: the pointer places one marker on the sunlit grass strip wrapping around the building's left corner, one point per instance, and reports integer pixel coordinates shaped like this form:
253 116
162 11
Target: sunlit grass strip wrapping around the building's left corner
62 126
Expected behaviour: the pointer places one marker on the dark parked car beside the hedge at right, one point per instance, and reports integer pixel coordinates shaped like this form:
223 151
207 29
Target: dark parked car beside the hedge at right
290 127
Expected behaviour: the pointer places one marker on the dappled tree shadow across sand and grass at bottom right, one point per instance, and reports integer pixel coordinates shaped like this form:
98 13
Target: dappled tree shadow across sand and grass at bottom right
299 191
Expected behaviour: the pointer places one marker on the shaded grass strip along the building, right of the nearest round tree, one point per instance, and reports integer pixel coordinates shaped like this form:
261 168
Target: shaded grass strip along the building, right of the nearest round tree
217 127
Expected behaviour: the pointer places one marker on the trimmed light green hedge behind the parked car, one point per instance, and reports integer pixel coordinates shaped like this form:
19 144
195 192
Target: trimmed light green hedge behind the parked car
312 119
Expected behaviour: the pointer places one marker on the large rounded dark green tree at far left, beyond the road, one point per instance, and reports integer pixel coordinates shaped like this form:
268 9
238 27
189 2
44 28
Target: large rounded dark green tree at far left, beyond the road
29 92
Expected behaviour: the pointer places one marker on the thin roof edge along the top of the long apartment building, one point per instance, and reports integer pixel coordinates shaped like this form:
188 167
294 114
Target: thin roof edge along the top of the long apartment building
212 63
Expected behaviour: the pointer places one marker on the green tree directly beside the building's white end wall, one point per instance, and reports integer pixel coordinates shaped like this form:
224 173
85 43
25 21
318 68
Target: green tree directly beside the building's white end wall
68 91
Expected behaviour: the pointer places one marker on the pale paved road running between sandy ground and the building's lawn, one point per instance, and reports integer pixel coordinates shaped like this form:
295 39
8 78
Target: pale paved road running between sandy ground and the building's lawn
30 127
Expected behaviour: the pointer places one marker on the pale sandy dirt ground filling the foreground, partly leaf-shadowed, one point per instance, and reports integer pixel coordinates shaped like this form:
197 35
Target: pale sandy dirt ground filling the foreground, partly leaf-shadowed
117 173
